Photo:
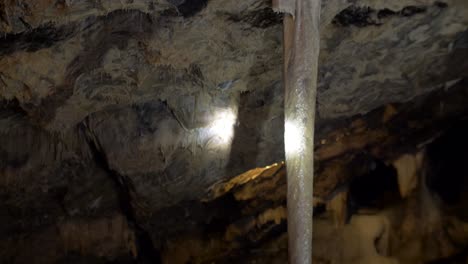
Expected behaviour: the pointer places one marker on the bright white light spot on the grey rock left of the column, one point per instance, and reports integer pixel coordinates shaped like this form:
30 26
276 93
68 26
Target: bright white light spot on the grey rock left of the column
223 126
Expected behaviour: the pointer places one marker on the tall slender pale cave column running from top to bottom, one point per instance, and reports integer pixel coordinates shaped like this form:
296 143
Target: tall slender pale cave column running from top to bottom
301 52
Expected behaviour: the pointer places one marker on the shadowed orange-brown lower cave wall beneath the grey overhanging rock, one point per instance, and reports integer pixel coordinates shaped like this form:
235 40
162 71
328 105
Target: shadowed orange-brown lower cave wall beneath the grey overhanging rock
366 220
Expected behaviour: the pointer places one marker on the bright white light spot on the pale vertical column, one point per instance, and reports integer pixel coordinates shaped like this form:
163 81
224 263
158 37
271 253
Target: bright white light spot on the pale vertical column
293 138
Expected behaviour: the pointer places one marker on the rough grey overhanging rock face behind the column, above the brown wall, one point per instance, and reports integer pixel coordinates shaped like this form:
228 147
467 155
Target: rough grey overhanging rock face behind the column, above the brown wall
111 111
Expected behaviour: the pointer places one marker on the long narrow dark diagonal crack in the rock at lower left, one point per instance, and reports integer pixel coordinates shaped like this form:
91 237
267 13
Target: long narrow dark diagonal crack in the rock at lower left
125 191
